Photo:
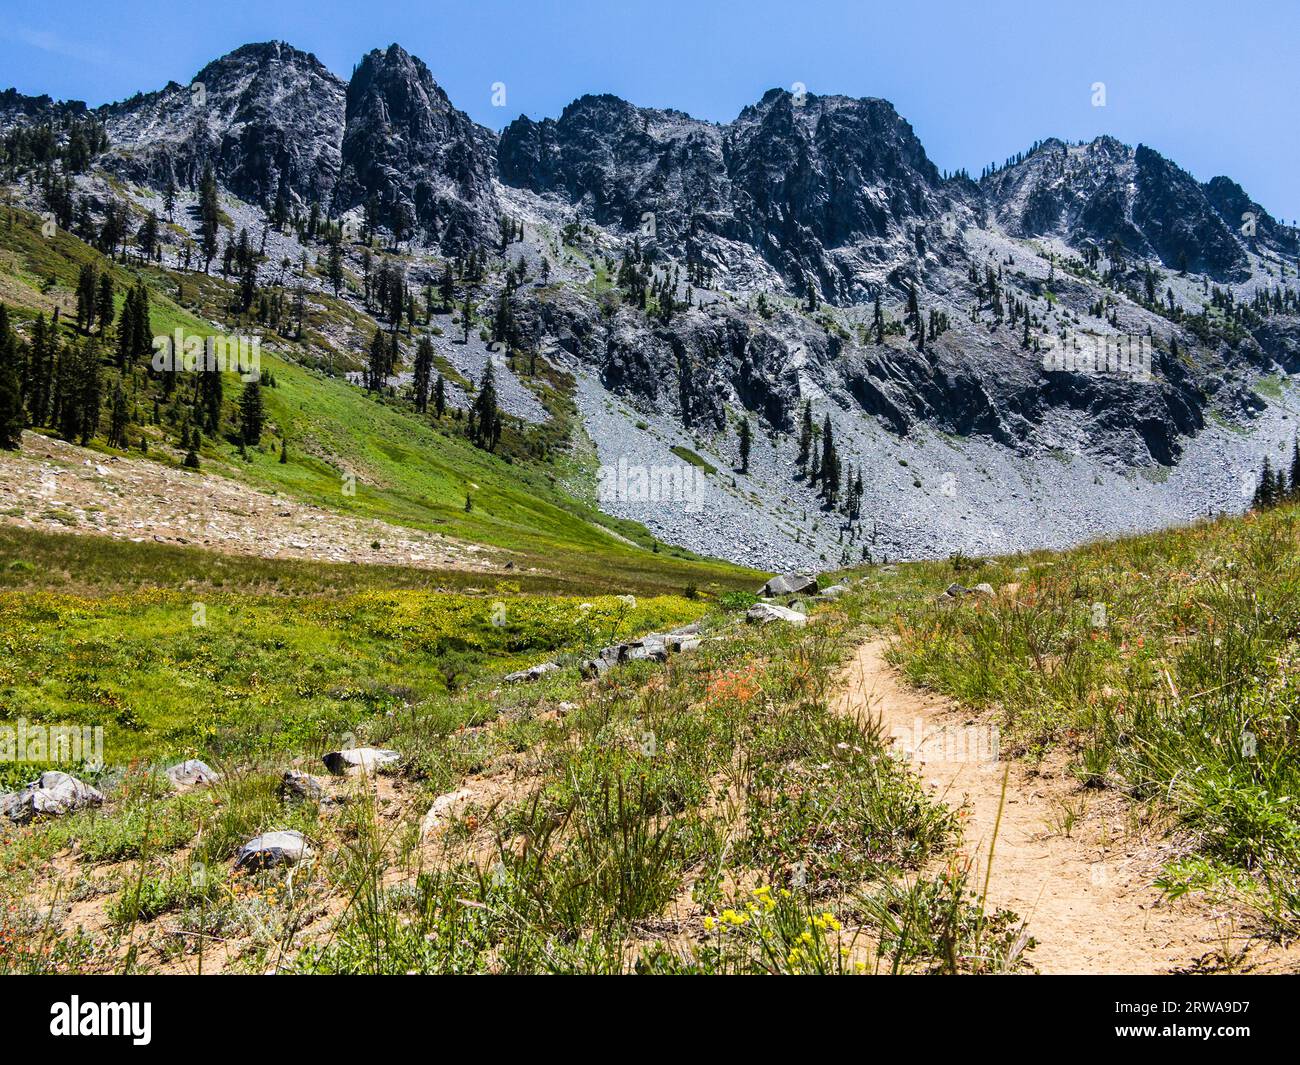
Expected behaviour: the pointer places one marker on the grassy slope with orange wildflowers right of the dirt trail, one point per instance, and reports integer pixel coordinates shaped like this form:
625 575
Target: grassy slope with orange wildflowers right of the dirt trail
1164 665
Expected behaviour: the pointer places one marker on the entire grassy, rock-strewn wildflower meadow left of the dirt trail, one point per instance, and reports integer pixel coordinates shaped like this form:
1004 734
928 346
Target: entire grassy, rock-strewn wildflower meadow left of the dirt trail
722 789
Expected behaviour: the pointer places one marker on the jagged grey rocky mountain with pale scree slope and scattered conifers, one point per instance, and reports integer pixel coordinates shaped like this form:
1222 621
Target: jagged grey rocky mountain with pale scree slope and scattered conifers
1085 340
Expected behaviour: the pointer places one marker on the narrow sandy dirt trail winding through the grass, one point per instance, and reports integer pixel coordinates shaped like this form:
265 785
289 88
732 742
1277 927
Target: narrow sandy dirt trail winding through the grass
1087 897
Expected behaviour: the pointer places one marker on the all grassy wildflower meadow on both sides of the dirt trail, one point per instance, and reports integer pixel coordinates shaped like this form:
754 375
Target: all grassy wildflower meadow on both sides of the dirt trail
714 815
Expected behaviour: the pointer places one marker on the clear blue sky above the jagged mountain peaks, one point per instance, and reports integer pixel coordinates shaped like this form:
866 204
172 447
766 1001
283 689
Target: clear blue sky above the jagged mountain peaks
1214 86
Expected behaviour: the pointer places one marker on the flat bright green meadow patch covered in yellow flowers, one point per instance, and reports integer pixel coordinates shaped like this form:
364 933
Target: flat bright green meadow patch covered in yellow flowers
231 674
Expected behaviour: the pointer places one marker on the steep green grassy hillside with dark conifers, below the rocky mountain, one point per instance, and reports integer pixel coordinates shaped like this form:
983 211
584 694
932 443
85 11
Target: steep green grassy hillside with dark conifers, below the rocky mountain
357 453
